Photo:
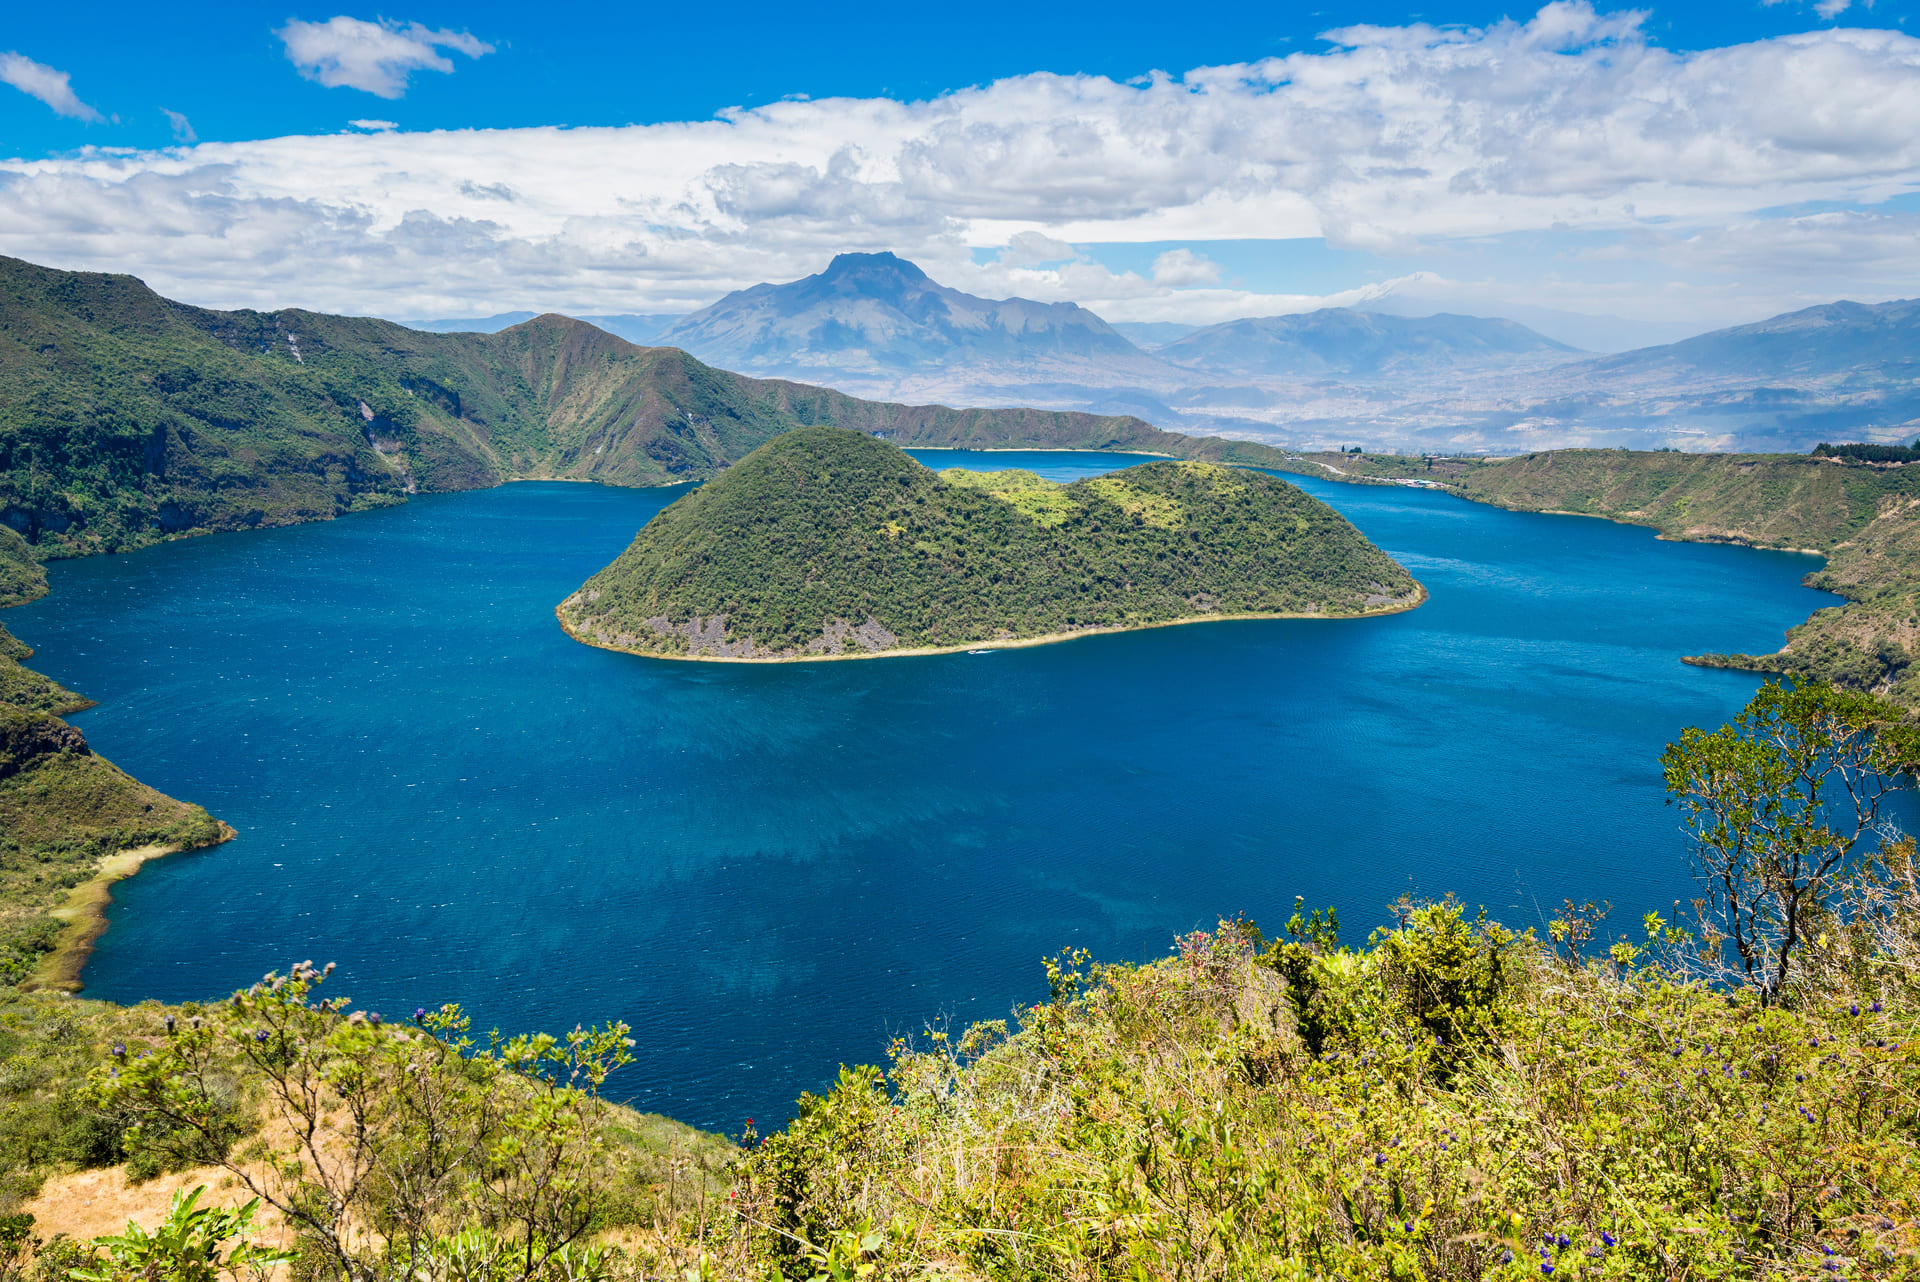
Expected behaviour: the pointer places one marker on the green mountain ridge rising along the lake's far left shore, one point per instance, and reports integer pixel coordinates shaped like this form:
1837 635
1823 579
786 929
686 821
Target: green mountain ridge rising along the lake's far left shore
128 417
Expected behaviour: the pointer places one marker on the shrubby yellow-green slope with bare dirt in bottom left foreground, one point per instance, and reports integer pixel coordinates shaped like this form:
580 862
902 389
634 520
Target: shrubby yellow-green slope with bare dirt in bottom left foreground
377 1151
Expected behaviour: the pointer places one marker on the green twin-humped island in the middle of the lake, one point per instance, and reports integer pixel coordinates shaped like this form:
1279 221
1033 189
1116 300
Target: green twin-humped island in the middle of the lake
832 542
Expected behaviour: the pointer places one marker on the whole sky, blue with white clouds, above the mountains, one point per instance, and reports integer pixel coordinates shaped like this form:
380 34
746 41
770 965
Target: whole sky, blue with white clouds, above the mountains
1677 168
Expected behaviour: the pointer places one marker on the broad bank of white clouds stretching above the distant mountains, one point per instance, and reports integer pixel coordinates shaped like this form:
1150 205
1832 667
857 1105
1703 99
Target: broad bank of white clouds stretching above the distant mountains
1391 139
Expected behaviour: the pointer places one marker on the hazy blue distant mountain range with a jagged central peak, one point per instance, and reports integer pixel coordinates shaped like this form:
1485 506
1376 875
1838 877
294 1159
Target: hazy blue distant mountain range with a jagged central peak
875 325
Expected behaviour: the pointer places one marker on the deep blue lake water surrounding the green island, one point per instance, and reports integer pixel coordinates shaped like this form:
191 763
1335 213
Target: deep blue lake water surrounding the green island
767 870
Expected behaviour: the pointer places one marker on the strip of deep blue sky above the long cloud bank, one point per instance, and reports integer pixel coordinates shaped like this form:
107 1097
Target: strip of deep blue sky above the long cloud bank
594 64
